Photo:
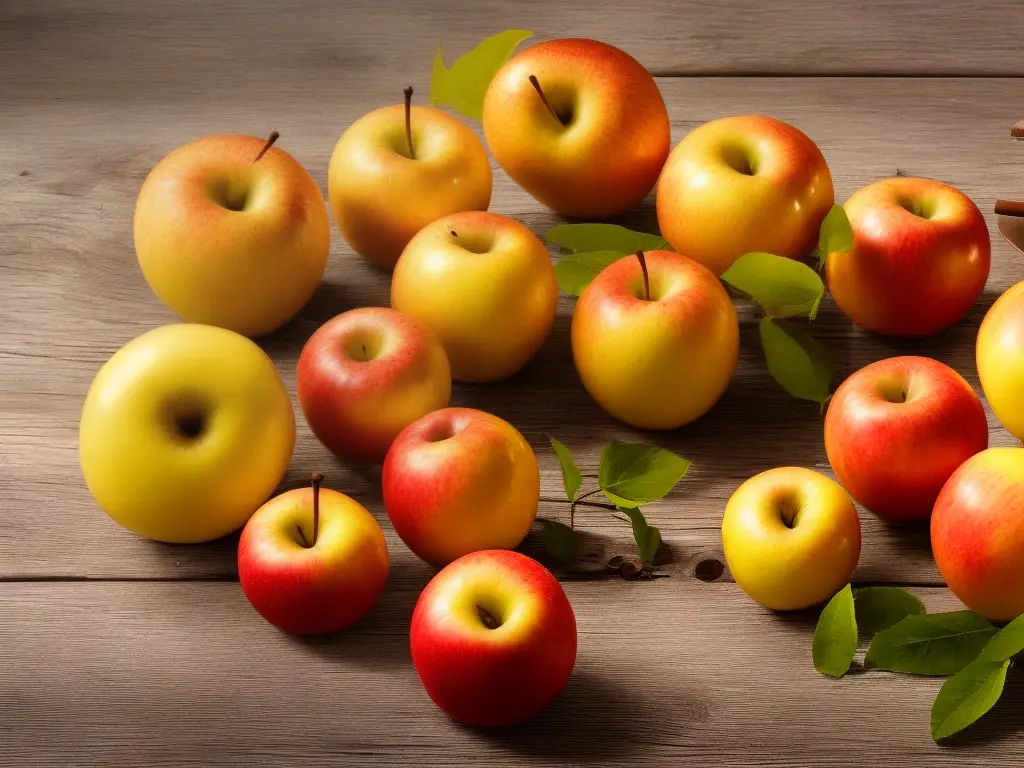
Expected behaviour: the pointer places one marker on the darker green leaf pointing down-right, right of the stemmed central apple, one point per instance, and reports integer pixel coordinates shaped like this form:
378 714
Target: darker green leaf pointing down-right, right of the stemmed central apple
796 360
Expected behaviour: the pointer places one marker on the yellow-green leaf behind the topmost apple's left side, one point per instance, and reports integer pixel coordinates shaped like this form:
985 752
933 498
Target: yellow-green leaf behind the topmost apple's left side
464 84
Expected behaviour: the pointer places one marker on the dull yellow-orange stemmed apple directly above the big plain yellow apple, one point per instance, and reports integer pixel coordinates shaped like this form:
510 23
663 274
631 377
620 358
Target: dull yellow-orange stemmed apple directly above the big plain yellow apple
231 232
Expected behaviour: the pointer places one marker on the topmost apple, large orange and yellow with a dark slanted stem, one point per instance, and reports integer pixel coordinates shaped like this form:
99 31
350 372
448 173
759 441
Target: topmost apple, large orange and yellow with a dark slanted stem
580 125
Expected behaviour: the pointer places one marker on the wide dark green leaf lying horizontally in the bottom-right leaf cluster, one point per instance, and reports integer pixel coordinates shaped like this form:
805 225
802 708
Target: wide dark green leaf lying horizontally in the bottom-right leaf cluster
930 645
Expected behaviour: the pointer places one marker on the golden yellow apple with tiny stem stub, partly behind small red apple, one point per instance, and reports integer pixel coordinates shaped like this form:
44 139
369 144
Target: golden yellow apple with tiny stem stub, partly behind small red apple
485 284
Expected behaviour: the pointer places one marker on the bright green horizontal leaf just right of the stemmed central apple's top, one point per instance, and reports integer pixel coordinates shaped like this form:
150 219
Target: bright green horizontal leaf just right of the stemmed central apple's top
783 287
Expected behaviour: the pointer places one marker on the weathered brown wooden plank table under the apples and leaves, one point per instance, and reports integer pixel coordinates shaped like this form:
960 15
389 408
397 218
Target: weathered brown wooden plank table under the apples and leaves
118 652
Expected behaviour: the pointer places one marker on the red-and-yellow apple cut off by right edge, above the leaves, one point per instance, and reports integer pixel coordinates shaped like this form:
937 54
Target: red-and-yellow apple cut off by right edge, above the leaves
978 533
